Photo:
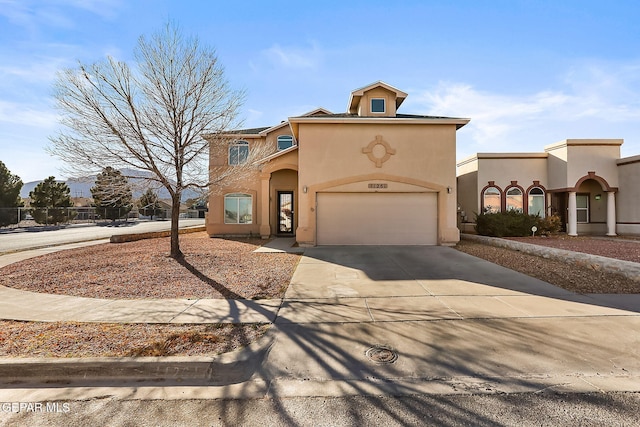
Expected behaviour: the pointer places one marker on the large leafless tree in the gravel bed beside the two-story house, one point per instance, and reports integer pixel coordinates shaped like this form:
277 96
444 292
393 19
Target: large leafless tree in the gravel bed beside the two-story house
150 117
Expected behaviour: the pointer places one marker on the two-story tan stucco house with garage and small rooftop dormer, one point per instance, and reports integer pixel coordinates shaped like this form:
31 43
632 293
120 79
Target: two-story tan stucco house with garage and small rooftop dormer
367 176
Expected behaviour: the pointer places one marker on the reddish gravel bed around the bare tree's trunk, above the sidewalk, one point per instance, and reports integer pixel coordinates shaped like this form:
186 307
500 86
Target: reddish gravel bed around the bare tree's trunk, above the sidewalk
212 268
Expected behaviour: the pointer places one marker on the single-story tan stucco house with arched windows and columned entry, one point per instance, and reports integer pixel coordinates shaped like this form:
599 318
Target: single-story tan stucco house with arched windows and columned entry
584 181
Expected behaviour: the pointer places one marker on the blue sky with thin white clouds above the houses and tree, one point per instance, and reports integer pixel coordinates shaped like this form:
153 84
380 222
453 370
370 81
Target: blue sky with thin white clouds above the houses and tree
527 73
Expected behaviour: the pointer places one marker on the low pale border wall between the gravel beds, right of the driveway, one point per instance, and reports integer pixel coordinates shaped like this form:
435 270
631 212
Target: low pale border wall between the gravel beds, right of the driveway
628 269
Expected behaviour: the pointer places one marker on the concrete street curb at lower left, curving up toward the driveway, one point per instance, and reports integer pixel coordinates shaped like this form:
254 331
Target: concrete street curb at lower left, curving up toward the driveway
227 368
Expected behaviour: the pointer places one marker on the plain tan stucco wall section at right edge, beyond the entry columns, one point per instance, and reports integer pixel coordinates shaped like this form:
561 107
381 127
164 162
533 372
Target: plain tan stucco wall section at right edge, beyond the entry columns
628 196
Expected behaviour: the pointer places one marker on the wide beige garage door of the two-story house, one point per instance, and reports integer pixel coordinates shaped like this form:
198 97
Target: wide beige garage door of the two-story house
377 219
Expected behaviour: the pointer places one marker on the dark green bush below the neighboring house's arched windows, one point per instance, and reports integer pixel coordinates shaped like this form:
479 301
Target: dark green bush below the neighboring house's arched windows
506 224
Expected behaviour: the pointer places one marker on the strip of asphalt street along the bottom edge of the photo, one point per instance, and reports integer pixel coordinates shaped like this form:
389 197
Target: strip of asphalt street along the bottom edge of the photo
528 409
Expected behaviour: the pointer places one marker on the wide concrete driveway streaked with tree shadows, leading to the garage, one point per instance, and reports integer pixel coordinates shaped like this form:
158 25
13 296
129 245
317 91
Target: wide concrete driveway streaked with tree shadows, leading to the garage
428 319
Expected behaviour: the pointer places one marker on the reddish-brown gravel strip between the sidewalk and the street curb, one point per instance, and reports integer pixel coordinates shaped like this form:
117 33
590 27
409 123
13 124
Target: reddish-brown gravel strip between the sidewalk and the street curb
70 339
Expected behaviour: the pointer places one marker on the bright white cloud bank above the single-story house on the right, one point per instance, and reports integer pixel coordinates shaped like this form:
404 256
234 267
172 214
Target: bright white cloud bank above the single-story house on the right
595 101
